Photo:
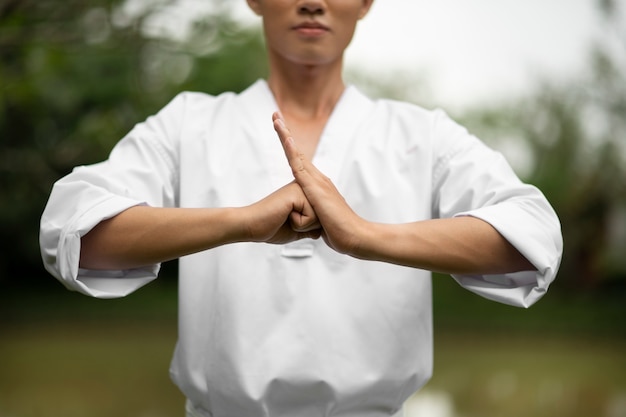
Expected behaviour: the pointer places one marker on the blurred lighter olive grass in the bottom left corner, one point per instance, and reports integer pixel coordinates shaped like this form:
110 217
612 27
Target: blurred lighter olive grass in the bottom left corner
88 369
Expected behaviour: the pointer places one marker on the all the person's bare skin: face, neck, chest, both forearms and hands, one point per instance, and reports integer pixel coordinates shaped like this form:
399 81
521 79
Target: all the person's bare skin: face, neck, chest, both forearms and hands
306 40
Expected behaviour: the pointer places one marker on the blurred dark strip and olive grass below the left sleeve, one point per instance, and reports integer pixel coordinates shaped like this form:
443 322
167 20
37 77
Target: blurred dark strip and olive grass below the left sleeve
67 355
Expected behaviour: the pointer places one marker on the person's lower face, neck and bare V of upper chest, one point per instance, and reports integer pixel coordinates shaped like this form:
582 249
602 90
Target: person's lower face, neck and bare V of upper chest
306 69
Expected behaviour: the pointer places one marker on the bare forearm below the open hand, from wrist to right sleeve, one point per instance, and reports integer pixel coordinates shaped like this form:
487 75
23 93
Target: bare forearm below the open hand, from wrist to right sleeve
462 245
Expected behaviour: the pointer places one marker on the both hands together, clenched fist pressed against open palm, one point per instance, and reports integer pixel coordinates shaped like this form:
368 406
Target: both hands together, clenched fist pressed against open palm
310 206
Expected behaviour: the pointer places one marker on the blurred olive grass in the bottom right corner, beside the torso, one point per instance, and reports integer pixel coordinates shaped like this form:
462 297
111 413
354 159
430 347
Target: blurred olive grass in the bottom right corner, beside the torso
489 375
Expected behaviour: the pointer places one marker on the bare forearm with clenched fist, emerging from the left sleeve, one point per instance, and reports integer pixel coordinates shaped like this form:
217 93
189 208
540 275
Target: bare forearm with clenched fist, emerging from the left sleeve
143 235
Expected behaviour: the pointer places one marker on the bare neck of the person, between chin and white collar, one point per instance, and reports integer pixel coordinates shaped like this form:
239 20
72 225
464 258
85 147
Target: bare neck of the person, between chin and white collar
306 92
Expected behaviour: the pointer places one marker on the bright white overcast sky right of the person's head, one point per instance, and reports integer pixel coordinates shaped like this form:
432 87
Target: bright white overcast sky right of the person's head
471 51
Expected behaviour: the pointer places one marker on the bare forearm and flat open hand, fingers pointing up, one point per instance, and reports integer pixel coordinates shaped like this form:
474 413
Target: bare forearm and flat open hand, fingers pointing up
463 245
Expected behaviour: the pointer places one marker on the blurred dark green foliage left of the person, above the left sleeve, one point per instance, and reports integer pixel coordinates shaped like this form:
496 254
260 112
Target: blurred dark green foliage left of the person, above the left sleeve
76 76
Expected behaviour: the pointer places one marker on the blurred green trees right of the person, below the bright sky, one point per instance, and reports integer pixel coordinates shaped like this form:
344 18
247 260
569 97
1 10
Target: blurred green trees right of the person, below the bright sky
574 134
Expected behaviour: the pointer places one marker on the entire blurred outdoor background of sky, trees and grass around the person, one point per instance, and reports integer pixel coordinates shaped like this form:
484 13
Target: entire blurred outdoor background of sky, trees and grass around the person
543 82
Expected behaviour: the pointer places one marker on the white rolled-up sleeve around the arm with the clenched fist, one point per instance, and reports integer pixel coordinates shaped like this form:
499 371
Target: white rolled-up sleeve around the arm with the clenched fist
142 169
